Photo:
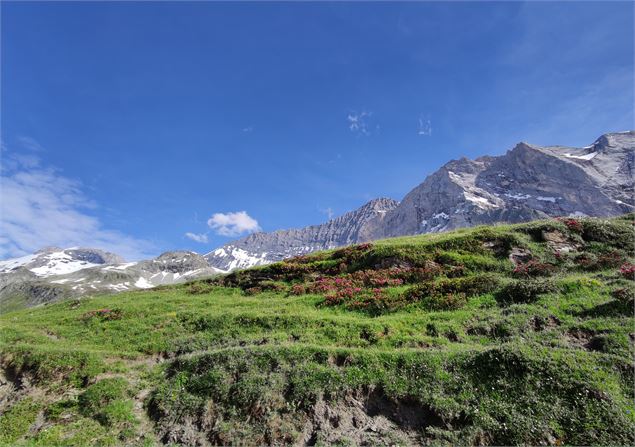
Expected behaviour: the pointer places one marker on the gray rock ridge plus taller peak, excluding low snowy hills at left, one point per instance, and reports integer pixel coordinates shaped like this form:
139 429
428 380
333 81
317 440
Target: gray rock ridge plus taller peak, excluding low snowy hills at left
528 182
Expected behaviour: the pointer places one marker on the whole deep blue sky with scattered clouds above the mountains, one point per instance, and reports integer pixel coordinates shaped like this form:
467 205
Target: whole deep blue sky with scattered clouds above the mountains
128 125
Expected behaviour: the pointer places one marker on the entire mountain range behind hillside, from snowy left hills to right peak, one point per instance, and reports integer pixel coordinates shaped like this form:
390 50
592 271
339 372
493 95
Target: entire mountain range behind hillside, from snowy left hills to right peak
528 182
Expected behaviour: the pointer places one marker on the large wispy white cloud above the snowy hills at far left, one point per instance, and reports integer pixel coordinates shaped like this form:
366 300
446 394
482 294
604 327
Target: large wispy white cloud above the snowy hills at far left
41 207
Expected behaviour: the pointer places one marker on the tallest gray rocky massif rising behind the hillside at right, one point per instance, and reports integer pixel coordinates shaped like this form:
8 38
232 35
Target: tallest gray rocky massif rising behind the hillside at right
526 183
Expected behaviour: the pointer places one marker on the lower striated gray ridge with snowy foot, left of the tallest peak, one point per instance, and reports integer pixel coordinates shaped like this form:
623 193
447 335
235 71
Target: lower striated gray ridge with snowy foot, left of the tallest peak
264 248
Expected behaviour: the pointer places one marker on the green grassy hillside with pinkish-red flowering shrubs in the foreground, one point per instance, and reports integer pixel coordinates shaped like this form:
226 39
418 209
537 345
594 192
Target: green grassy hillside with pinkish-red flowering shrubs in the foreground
495 335
